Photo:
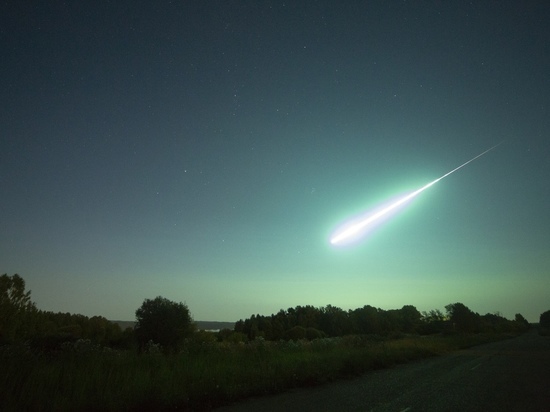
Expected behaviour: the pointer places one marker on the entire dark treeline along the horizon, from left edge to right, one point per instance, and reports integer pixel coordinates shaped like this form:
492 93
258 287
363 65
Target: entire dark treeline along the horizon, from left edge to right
162 324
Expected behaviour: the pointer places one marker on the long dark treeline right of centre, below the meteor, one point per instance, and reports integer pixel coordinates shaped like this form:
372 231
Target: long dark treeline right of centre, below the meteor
309 322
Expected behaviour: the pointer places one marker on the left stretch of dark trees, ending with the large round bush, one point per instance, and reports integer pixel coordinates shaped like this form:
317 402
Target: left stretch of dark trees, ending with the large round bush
161 325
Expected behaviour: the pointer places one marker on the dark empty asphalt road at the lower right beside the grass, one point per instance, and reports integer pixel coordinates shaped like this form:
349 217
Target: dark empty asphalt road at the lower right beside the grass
510 375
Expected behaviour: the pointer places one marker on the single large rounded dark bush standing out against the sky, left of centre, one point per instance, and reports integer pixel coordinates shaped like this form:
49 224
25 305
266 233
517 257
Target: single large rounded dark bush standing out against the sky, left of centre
164 322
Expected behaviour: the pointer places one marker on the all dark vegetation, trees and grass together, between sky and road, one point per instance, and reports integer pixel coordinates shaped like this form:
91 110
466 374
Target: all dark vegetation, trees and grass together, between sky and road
71 362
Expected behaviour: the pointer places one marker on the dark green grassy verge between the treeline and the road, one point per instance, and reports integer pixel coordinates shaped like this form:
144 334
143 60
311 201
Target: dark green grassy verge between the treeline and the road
88 377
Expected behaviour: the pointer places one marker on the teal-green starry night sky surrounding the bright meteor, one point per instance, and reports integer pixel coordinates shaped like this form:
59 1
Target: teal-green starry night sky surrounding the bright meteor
205 151
